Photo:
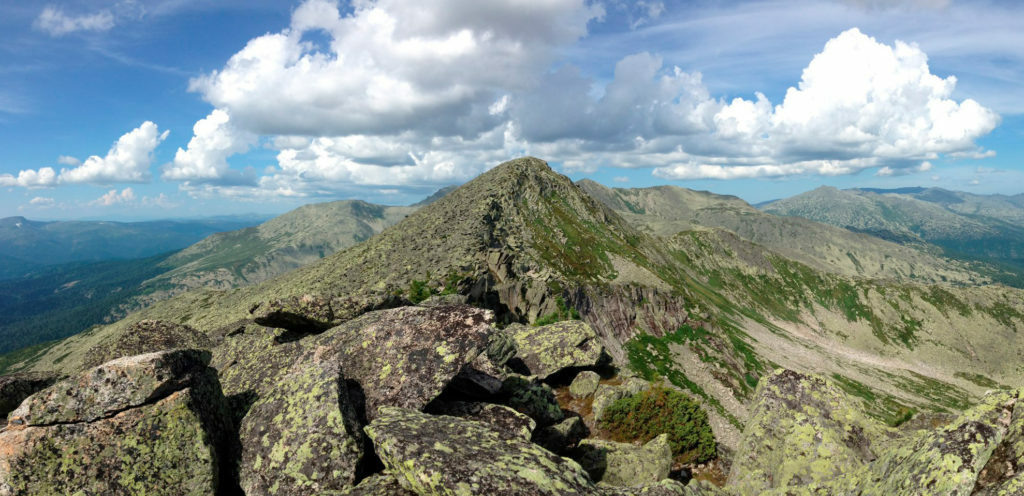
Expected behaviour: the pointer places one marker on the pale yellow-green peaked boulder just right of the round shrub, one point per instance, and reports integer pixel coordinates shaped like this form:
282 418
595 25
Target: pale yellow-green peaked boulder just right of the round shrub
802 431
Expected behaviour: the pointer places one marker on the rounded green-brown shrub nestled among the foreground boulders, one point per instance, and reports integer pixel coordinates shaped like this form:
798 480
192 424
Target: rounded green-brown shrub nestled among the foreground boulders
661 410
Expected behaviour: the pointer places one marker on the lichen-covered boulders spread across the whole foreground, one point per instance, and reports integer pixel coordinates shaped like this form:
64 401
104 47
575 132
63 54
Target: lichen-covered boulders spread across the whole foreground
320 397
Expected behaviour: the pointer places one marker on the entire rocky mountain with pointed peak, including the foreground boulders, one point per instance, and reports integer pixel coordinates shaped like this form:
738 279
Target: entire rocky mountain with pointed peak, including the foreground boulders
523 337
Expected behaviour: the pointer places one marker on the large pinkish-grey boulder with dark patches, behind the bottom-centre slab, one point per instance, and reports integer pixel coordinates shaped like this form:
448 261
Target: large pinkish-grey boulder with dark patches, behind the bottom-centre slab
406 357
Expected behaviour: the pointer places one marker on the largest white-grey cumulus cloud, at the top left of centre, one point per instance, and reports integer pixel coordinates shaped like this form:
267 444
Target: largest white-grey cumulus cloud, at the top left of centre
393 66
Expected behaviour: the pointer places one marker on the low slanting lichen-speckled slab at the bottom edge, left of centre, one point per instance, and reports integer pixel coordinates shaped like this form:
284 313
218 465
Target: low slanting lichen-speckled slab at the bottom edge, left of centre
441 456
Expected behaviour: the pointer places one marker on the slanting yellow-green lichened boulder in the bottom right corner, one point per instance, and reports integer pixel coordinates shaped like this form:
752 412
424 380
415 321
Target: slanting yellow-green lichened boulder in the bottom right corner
950 460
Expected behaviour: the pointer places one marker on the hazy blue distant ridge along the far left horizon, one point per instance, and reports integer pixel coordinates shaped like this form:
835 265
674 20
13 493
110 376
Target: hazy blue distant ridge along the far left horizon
26 244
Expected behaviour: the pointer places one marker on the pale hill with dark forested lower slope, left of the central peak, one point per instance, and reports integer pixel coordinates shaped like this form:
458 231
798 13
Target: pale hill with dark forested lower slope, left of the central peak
59 301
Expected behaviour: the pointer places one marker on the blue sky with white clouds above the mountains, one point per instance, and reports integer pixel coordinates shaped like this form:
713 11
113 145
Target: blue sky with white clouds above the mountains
153 109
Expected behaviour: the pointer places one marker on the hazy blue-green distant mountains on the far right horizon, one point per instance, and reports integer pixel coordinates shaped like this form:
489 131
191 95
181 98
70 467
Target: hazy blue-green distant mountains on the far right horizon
965 226
